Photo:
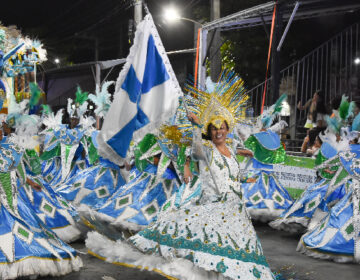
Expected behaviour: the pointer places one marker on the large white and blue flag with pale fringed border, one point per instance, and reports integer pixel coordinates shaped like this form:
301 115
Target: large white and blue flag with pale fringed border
146 94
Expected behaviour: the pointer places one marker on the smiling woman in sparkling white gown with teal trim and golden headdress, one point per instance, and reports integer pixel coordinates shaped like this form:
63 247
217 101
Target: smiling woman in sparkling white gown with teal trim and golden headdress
210 236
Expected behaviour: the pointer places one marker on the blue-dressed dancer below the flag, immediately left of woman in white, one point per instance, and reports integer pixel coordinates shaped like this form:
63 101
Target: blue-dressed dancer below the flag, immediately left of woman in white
152 182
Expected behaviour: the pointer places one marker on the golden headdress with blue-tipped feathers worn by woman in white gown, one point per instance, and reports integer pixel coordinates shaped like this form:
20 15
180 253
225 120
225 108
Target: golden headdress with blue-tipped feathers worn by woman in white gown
225 100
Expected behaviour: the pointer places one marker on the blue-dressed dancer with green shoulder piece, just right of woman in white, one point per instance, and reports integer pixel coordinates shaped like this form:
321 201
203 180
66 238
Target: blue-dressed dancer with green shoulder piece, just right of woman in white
265 197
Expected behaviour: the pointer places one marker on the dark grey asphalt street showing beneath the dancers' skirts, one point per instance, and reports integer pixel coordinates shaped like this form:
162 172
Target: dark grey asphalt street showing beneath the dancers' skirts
279 248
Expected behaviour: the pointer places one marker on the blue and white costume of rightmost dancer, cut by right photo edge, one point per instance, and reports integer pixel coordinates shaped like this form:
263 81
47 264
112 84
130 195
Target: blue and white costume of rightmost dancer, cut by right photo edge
337 235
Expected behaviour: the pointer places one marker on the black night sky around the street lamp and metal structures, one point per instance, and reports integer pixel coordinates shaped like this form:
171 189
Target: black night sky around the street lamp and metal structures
68 28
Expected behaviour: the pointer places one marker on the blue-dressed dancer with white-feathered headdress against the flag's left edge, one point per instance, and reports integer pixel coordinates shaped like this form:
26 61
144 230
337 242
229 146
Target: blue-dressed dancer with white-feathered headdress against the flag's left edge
94 185
